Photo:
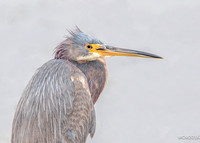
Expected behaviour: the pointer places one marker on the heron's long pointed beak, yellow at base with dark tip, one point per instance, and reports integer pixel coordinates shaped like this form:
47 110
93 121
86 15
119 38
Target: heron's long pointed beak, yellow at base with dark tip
114 51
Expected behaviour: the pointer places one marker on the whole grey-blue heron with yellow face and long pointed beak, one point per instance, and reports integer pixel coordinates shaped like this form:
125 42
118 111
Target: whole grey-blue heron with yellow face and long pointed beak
57 105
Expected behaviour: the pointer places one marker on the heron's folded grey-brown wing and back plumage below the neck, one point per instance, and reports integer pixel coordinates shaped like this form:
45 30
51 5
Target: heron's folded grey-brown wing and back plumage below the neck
55 106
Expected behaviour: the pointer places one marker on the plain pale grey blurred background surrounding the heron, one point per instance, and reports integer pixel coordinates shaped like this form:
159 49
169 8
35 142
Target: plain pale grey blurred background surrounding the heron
145 100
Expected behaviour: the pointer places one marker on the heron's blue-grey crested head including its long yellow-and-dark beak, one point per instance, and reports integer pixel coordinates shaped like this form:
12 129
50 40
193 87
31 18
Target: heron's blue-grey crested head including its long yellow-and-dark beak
81 47
